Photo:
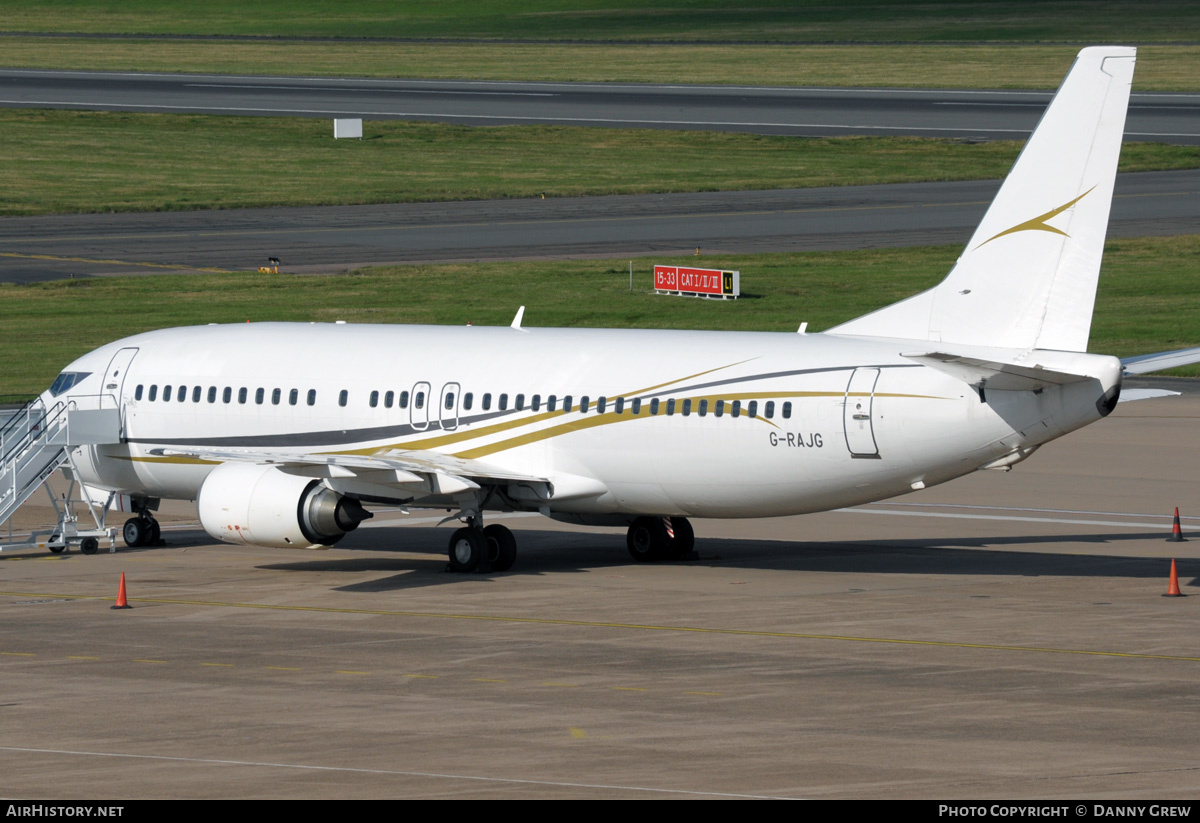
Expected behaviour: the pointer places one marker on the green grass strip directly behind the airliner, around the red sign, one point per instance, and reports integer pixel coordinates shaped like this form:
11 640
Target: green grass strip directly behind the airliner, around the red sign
1149 299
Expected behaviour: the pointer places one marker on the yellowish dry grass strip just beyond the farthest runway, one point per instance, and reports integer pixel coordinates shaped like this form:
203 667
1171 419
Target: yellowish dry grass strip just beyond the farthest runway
1018 67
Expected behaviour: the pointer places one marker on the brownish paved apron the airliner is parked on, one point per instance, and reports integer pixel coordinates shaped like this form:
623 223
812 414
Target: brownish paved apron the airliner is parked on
1001 636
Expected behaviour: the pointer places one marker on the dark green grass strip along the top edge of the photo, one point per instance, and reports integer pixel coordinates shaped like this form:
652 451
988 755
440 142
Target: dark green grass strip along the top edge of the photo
805 21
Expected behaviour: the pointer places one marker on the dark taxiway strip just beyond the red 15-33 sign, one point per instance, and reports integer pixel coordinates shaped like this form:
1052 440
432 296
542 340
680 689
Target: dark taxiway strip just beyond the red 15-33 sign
322 241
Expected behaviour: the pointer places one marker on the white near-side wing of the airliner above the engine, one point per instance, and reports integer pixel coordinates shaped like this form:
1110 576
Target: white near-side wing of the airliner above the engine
413 473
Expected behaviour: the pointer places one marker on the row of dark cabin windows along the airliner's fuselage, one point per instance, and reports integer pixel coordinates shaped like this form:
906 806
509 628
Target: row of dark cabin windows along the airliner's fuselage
553 403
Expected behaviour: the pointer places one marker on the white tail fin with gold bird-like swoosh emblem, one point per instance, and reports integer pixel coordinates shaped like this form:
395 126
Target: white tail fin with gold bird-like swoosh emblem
1028 278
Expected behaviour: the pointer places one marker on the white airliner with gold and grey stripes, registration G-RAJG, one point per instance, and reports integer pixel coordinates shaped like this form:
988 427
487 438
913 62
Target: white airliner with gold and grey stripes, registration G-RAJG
285 432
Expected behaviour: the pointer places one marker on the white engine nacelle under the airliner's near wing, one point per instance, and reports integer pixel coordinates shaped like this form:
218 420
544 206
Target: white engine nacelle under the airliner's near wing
261 506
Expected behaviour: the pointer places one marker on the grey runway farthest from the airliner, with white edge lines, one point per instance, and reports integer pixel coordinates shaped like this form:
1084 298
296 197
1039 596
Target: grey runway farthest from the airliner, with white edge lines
1169 118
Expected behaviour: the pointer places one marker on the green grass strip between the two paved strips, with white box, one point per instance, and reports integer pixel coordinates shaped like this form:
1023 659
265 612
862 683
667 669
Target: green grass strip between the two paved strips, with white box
85 161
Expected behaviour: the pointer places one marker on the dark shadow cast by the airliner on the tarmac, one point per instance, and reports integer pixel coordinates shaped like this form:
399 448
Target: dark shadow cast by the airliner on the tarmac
557 552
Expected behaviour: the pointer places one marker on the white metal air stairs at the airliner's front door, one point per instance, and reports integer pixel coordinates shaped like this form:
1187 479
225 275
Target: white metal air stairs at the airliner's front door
34 444
